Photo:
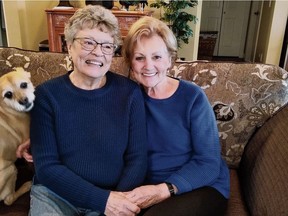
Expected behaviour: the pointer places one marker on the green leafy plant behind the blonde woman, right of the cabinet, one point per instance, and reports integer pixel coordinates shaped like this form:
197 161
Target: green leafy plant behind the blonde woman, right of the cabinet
176 18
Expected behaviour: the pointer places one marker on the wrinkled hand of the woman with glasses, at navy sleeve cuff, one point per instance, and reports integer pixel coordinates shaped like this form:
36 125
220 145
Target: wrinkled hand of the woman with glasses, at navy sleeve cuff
118 204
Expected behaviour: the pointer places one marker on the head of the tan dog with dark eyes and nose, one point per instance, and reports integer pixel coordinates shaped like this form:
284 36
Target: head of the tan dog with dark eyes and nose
17 90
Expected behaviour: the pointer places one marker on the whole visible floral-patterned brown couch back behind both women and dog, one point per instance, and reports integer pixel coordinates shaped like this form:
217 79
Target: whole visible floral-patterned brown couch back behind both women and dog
242 95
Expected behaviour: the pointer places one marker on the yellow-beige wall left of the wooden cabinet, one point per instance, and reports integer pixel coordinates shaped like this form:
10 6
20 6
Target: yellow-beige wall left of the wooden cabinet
26 22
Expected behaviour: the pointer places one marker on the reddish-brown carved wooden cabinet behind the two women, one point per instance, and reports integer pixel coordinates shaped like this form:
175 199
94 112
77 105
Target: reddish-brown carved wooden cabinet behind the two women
56 19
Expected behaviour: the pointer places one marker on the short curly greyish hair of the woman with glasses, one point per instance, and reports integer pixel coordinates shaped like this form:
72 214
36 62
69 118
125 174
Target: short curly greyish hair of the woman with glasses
92 16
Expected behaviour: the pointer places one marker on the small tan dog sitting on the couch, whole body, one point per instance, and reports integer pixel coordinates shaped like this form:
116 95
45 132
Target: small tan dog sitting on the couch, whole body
17 97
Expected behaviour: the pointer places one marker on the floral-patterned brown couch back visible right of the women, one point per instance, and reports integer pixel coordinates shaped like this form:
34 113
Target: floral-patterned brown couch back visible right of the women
243 96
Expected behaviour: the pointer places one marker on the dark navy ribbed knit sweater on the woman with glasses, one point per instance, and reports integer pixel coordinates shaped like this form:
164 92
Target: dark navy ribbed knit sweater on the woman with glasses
88 142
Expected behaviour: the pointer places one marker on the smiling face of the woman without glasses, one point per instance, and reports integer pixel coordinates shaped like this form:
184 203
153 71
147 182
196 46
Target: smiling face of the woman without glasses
150 61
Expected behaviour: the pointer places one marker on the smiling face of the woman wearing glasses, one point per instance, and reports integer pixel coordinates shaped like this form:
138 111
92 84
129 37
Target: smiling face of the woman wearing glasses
93 64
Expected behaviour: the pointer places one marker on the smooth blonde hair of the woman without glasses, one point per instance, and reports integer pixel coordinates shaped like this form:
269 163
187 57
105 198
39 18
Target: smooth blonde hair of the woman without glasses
148 27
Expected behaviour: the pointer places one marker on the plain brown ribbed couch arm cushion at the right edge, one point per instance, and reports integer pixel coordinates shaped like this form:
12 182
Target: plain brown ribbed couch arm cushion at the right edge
264 168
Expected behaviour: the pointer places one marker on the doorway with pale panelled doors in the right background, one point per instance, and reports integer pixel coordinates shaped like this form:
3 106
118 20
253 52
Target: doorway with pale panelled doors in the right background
237 24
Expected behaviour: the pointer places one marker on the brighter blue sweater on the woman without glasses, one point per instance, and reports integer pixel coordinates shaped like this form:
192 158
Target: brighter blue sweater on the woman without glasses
183 142
